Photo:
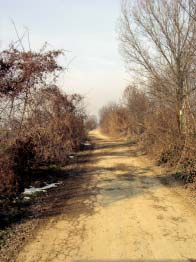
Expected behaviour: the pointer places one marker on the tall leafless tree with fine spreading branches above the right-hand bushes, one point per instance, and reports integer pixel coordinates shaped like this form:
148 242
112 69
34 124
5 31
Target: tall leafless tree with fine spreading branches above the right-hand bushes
158 39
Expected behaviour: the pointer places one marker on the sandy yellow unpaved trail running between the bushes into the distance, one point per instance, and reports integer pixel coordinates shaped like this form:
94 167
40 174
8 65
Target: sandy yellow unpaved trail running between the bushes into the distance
130 215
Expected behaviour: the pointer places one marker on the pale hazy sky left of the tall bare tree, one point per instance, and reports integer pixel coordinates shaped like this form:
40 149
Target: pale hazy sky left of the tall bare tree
87 29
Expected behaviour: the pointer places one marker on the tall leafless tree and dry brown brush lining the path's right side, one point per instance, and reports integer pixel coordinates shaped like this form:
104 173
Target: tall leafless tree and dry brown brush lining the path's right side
158 109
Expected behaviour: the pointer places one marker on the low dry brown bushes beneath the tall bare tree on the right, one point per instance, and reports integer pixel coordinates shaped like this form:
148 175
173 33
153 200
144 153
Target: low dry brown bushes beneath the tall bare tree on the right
156 129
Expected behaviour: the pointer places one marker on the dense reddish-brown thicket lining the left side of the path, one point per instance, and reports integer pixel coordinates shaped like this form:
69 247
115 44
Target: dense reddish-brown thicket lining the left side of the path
39 124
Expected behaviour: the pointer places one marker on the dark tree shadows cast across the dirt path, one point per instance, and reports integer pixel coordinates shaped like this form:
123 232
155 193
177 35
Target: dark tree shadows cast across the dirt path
77 194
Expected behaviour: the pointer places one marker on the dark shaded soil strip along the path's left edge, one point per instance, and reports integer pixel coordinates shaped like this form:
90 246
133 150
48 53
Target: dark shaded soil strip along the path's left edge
16 230
